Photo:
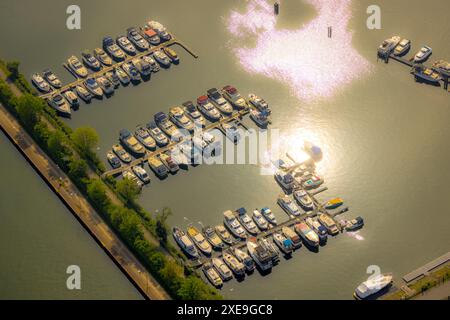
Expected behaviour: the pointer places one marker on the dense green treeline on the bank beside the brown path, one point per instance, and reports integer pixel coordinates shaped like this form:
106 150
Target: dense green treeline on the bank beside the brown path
74 152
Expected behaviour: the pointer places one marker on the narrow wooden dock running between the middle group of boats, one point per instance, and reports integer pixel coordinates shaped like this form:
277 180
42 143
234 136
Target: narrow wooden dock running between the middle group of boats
236 116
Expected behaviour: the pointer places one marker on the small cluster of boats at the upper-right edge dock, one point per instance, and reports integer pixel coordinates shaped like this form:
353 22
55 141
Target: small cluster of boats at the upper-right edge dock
399 47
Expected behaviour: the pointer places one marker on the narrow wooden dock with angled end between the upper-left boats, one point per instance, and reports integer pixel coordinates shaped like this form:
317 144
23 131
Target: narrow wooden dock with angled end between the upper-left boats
105 69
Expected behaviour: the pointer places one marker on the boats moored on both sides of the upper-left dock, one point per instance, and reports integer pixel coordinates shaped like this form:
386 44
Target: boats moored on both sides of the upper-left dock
132 70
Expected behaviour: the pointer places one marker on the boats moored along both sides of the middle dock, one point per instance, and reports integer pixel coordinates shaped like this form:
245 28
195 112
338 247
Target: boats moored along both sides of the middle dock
179 124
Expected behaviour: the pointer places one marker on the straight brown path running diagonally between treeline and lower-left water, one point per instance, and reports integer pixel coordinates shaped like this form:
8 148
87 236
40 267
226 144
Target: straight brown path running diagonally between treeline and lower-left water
78 205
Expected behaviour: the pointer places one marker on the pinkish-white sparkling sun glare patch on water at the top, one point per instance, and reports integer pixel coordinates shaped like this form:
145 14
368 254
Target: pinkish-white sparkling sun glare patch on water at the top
306 59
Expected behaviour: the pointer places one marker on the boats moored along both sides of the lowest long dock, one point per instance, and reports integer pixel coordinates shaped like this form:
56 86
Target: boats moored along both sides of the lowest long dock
261 253
